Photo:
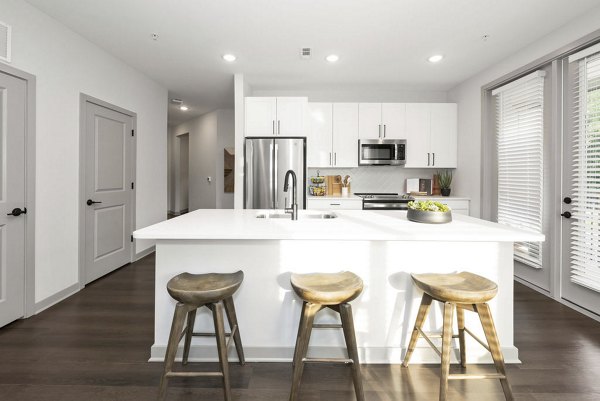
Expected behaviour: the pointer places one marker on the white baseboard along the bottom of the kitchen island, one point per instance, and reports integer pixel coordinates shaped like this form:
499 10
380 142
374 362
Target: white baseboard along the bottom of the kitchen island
373 355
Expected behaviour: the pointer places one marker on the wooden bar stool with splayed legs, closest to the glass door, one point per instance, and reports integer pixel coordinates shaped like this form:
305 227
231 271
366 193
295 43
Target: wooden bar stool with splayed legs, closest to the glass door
460 291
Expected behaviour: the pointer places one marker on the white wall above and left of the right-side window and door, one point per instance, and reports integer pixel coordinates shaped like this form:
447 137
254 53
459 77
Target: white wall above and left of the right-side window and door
468 96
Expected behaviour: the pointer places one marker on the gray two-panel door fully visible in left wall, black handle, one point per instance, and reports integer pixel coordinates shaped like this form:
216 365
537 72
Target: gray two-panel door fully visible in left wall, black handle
108 186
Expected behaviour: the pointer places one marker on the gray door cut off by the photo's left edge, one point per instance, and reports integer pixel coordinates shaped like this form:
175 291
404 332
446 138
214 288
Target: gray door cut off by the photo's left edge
12 198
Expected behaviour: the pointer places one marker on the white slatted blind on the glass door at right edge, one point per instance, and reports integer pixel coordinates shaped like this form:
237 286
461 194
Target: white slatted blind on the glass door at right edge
585 229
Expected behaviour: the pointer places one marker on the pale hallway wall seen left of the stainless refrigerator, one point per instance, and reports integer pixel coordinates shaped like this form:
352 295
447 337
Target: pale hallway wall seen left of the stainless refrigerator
208 135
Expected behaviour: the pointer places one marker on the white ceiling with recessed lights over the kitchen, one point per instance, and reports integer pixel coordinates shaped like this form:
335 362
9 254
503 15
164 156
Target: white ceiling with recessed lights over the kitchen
380 42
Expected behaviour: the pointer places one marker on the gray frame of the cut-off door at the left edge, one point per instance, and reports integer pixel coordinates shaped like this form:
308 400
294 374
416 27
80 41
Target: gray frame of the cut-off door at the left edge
30 120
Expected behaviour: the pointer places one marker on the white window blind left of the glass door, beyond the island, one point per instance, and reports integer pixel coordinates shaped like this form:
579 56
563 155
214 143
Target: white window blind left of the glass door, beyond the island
520 141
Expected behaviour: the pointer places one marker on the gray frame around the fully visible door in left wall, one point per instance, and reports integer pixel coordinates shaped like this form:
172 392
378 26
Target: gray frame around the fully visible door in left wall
83 100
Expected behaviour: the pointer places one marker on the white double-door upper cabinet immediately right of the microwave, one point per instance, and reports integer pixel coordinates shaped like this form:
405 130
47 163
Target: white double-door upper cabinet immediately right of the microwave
431 135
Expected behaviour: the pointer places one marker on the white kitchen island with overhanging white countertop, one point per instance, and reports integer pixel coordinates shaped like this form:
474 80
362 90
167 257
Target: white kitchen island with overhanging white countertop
382 247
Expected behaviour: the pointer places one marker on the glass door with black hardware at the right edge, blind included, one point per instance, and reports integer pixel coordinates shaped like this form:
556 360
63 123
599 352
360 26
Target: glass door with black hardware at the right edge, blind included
580 267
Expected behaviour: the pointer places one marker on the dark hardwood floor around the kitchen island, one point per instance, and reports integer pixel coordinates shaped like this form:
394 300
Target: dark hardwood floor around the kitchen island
95 346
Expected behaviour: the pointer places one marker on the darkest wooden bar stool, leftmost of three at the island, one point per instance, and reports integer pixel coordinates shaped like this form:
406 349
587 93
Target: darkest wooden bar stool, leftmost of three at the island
192 291
